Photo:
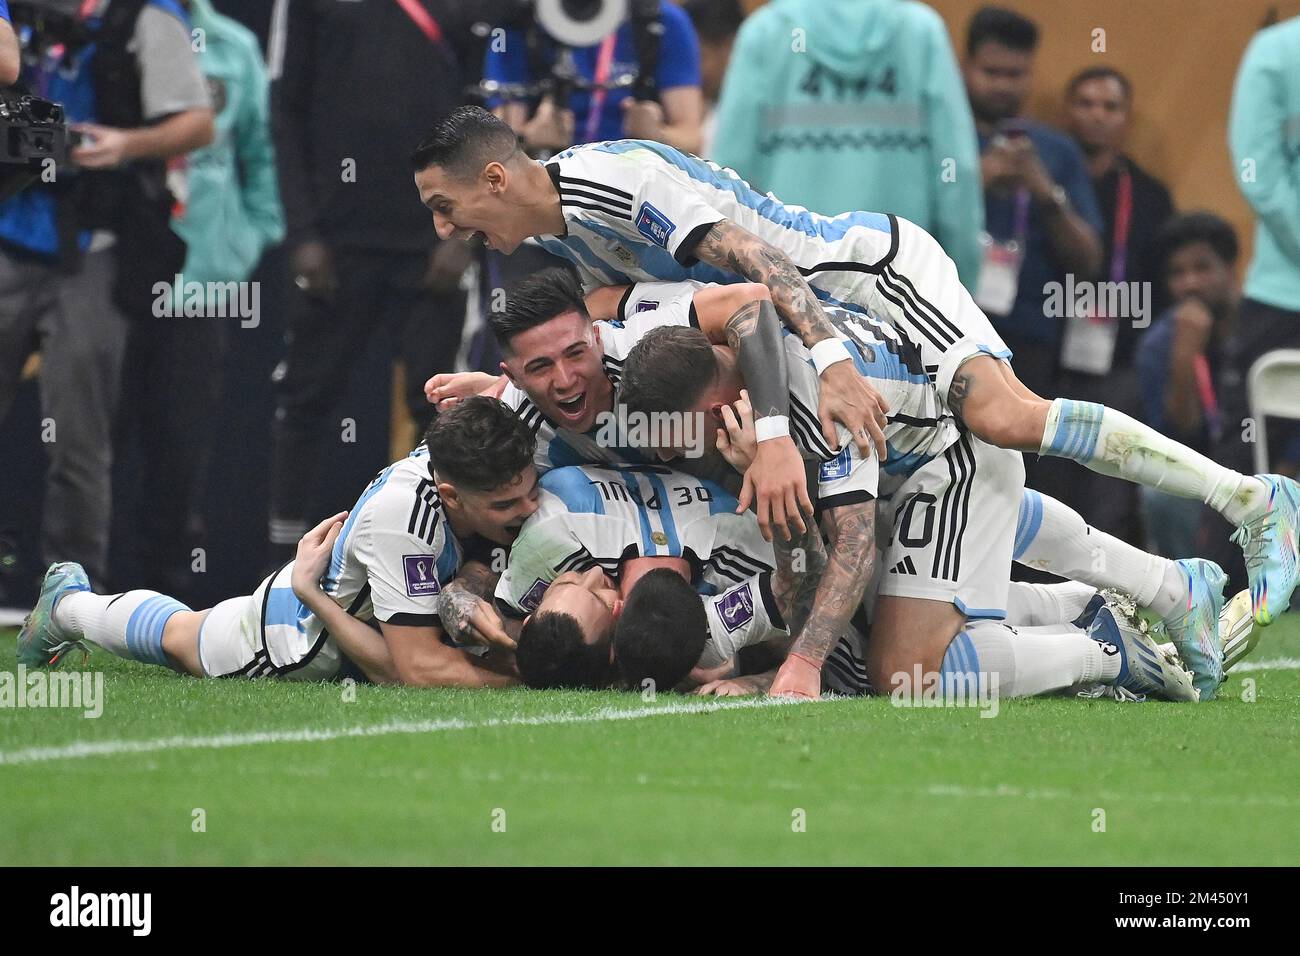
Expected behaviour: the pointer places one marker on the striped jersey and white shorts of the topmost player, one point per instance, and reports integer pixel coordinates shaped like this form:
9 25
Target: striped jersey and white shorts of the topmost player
636 210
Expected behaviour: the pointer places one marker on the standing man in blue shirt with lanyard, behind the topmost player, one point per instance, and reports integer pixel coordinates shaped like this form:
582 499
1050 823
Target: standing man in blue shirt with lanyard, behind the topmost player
1037 196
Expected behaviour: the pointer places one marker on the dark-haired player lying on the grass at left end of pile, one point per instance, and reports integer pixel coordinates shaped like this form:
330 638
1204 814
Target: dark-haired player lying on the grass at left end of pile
385 563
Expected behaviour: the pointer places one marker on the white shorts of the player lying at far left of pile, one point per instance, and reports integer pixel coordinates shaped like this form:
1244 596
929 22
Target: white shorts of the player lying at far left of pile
235 642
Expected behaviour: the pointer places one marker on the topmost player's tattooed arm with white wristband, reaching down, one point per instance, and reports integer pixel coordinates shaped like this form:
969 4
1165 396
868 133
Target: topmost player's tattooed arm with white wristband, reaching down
847 397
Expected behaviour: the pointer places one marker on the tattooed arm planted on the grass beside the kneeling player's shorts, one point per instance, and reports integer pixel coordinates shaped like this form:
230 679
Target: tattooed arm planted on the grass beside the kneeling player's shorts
851 530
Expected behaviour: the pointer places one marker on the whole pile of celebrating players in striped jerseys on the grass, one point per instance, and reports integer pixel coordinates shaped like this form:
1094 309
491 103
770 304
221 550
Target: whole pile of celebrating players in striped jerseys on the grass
749 449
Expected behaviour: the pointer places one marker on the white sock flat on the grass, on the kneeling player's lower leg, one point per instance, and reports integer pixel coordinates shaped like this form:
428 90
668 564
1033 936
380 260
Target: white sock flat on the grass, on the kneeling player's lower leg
1029 661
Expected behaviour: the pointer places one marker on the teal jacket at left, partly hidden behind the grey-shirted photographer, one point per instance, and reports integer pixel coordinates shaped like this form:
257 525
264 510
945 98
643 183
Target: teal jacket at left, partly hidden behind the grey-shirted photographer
232 209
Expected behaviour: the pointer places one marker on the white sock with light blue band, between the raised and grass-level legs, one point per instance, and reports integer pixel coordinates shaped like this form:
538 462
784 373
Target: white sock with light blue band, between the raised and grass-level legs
1054 538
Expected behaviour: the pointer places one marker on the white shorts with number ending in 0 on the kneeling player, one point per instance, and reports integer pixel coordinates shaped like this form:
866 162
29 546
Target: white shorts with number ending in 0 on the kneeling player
952 527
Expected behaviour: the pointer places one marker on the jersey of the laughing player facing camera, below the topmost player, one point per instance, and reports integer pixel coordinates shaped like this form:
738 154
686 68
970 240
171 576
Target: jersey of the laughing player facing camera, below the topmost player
561 447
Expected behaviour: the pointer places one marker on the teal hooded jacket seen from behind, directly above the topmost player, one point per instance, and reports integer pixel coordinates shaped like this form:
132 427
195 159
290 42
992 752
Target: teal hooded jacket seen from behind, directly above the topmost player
856 105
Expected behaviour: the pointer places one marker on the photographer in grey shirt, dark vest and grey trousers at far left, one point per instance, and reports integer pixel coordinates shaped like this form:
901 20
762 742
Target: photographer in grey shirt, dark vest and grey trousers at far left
81 249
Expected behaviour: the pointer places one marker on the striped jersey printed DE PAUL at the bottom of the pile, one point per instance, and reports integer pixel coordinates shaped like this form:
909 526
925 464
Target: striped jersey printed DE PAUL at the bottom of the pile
597 517
